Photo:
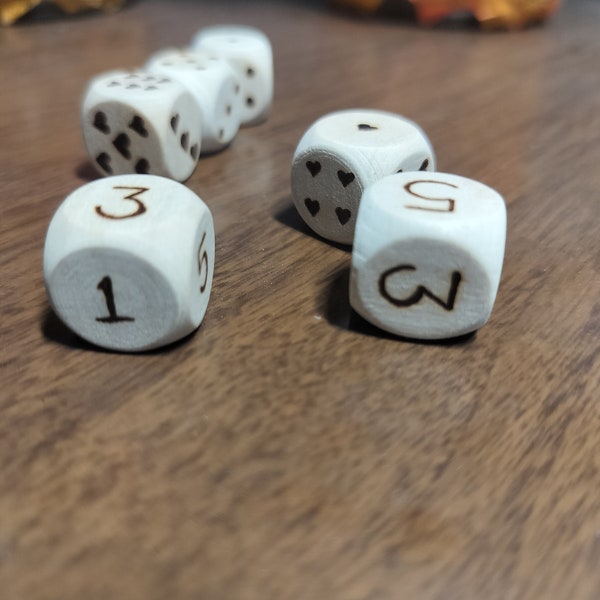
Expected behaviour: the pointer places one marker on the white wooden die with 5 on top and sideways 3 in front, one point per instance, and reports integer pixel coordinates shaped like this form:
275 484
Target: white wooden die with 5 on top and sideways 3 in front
428 253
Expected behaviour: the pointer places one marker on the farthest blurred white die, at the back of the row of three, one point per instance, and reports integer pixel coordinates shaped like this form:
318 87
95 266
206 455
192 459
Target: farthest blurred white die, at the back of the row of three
249 51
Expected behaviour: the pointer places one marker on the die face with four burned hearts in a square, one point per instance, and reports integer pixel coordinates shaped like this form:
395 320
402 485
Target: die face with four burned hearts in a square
327 192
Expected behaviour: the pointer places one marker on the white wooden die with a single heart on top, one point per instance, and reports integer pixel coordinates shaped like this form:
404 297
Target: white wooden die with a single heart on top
342 153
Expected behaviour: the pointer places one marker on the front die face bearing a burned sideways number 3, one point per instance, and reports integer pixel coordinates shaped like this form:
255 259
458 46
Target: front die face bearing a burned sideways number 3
422 288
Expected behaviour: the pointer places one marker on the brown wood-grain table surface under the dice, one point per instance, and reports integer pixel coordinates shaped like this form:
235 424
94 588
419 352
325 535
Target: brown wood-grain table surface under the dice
288 450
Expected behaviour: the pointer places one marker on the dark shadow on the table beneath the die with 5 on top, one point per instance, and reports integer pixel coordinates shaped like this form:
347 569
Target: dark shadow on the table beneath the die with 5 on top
335 304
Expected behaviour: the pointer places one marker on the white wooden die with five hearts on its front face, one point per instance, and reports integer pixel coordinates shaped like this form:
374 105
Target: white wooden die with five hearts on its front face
141 123
